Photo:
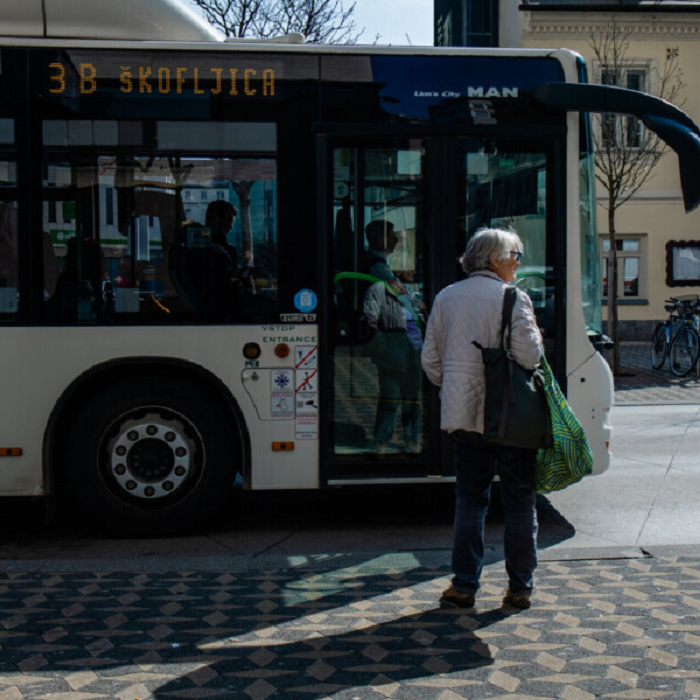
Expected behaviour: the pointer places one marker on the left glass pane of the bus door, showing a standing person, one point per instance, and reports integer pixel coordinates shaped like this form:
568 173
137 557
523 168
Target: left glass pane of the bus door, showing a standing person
377 398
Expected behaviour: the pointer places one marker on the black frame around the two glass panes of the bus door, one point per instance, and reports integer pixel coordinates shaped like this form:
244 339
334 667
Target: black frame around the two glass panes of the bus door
441 157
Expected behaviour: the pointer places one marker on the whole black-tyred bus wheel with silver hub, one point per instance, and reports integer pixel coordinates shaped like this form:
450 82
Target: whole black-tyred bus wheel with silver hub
151 456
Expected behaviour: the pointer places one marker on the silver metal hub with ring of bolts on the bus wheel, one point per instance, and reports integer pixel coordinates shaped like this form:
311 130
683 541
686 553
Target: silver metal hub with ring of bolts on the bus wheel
152 455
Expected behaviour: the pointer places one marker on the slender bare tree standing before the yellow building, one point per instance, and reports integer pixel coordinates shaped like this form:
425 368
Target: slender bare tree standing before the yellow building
625 152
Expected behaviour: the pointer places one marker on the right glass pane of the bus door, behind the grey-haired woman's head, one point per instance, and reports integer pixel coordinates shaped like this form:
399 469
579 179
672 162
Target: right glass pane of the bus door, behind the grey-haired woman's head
505 185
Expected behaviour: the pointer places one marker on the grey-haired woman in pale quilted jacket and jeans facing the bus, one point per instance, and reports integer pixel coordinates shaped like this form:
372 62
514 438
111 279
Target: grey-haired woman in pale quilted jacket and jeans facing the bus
466 311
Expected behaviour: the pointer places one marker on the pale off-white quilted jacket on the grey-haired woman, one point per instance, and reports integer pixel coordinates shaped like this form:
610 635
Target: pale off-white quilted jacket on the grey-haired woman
466 311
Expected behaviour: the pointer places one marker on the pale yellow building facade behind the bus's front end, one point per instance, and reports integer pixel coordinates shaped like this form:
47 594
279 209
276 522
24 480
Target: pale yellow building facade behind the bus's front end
658 243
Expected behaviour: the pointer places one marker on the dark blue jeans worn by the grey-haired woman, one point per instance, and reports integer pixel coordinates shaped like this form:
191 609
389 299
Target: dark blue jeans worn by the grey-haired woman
475 466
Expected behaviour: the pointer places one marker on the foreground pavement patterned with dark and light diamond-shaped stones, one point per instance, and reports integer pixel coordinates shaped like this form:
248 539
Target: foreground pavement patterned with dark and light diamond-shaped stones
615 628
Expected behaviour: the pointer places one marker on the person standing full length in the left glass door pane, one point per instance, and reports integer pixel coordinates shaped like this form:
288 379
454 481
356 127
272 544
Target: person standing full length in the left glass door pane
396 343
